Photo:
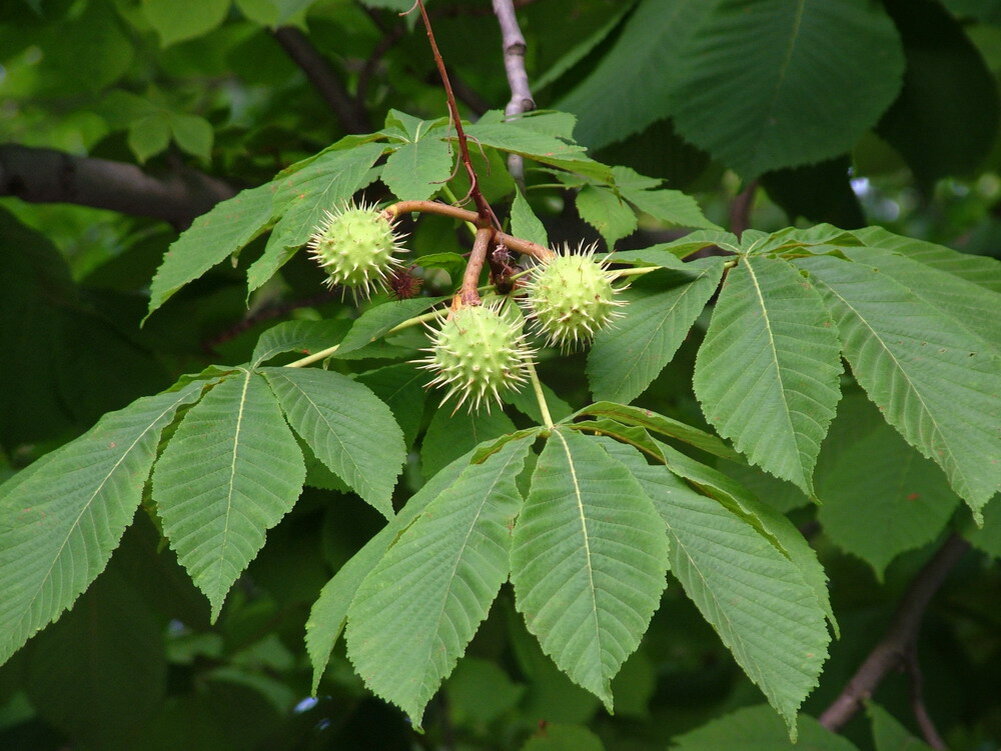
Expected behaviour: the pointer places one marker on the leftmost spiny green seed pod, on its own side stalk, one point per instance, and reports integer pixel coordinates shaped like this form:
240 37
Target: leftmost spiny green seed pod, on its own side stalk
356 247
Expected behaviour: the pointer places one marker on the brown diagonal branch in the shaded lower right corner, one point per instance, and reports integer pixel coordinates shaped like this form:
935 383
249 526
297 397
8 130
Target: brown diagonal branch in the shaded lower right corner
900 637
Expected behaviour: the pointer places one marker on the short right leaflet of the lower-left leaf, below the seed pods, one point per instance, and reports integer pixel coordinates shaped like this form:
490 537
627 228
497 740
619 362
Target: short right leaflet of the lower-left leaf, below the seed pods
348 427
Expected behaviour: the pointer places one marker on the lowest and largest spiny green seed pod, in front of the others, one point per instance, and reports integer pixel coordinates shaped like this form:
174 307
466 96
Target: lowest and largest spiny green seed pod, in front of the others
479 353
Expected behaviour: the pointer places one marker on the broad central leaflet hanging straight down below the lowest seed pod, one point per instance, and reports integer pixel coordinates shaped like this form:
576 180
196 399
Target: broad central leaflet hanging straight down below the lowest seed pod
588 562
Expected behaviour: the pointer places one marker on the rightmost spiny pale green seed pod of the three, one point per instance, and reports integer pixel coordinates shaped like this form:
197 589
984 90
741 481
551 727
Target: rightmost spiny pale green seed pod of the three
570 298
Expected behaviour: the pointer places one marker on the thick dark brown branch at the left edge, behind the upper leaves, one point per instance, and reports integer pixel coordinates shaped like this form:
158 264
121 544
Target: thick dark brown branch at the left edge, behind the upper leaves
45 176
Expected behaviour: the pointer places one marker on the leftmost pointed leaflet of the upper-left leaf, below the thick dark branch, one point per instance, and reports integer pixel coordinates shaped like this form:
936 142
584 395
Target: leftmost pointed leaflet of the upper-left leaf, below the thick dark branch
228 228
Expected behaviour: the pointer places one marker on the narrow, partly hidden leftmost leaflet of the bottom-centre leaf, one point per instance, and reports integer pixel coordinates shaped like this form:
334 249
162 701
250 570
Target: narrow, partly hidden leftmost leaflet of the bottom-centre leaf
329 613
